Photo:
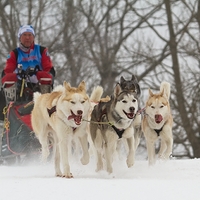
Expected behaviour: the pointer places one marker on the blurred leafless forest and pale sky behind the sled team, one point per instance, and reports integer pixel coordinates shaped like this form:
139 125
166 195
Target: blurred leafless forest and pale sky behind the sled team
101 40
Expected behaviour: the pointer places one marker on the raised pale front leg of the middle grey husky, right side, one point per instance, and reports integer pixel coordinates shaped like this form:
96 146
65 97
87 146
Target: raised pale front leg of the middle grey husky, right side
131 153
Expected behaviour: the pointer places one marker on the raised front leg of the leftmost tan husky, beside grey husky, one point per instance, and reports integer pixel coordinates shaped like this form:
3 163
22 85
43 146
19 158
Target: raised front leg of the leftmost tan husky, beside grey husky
84 144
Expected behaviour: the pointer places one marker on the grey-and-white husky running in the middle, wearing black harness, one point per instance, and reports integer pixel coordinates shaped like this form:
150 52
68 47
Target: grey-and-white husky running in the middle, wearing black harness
111 121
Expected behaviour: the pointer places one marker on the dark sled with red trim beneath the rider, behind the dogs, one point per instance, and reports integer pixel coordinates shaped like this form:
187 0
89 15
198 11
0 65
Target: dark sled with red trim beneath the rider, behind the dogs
18 142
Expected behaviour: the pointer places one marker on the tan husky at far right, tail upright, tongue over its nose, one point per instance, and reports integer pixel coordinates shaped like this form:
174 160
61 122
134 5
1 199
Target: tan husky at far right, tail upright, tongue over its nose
157 123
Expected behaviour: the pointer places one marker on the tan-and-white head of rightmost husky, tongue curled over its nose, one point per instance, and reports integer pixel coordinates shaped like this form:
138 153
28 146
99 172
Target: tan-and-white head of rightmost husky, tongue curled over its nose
157 105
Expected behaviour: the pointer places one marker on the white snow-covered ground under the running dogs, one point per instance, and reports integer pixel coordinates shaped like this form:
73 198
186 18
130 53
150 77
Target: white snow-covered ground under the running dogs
172 179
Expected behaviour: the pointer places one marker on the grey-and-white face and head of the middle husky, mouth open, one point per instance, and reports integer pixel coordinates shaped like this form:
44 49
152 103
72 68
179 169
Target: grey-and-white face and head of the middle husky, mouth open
125 103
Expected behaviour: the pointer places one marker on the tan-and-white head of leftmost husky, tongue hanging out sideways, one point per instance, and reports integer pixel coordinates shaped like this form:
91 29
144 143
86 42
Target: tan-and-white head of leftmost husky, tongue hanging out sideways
74 103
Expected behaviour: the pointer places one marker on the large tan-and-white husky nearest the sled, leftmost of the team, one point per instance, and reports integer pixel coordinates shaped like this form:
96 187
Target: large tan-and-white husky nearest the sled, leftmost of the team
59 116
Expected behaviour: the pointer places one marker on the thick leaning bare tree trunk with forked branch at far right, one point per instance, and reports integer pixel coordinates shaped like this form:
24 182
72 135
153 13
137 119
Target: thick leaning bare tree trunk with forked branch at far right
185 109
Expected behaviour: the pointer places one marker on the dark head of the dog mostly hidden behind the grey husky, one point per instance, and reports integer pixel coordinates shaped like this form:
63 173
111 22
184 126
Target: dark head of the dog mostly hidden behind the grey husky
130 85
